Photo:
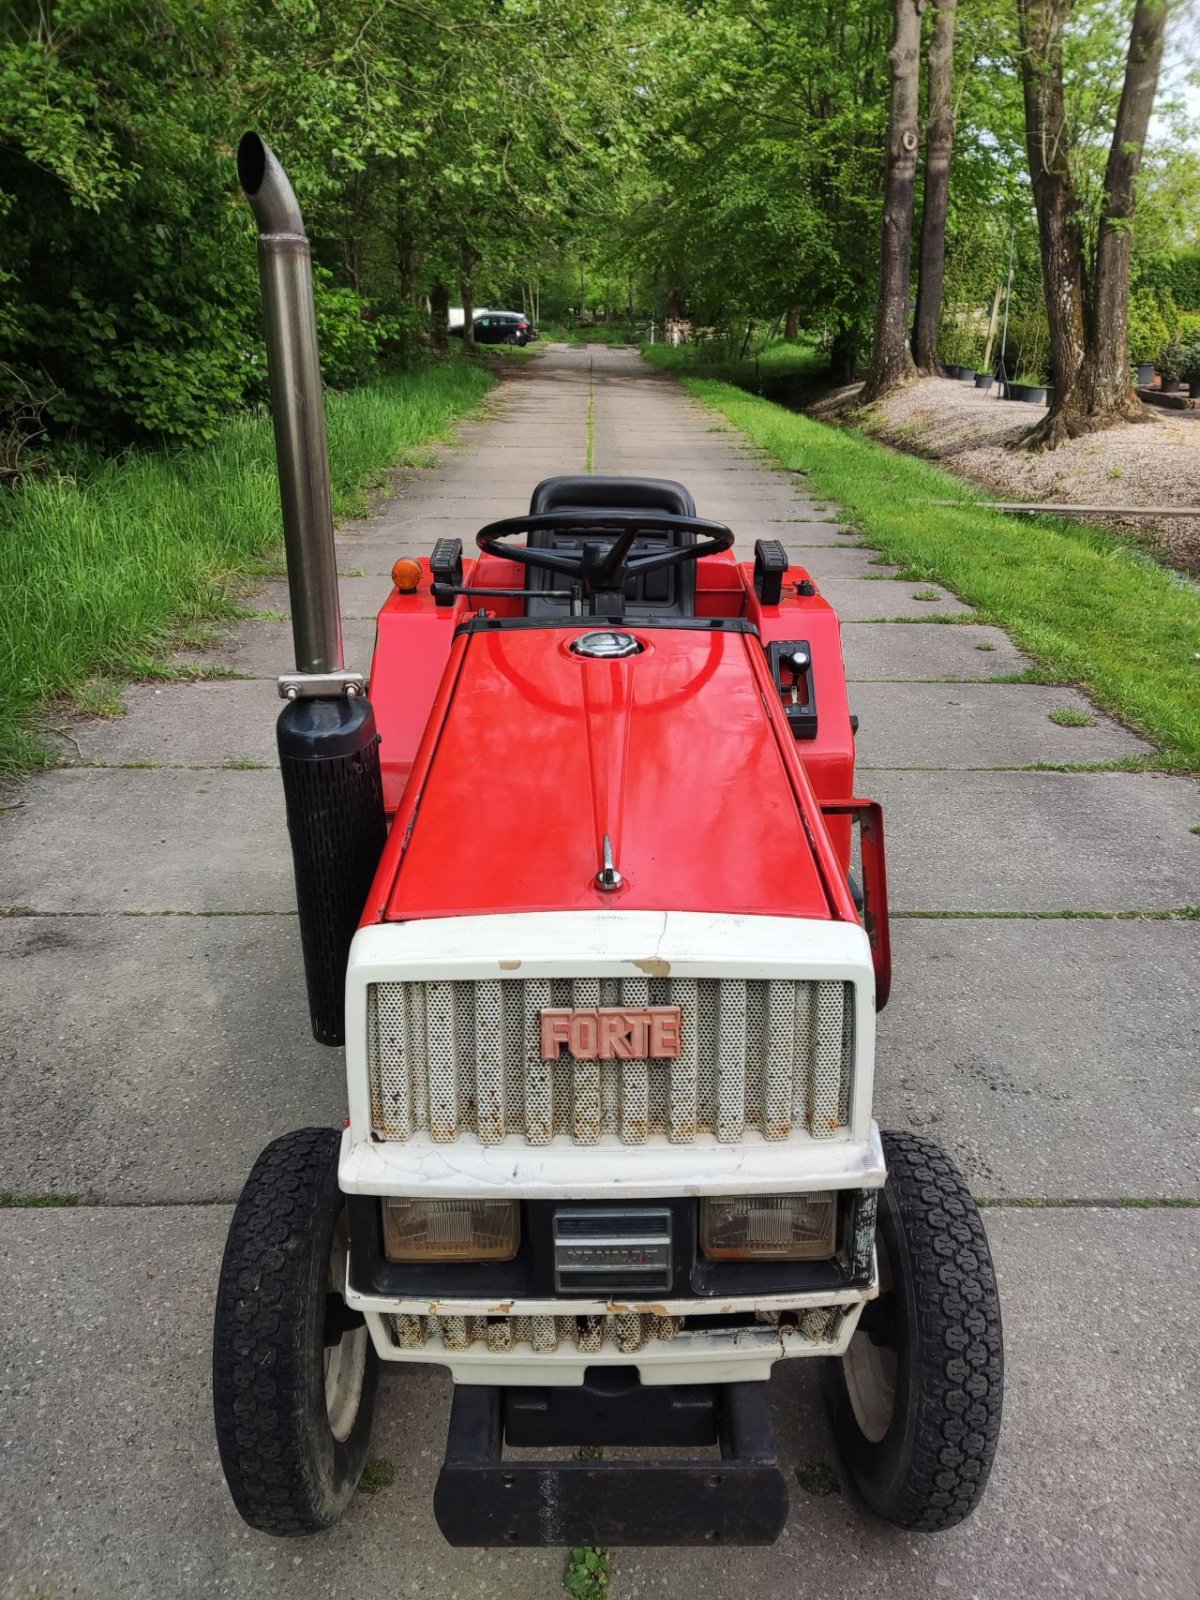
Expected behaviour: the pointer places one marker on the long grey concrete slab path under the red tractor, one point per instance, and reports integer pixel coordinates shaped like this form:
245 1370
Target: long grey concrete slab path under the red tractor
1044 1028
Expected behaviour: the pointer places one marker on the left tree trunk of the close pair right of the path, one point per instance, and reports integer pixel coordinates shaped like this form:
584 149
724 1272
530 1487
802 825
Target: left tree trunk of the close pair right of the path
892 359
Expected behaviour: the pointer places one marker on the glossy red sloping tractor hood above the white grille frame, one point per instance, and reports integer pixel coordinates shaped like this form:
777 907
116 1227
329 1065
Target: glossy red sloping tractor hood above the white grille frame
668 754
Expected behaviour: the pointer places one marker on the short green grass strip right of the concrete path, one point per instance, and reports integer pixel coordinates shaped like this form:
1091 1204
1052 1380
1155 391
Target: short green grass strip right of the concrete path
1079 601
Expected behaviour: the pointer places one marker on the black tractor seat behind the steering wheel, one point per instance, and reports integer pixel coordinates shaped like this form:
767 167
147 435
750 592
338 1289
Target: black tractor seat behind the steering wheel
668 593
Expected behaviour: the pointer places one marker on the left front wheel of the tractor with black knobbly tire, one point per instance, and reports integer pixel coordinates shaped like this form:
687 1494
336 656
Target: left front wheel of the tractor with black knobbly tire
295 1374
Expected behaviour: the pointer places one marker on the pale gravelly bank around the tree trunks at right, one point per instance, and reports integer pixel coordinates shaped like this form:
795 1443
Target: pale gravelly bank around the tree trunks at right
1154 463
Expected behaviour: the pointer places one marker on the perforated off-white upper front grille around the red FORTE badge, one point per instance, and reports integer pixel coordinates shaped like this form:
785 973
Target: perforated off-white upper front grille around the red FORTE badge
462 1058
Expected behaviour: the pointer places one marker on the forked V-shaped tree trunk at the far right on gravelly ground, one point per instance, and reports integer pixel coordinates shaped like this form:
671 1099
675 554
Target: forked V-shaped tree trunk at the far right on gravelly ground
1086 276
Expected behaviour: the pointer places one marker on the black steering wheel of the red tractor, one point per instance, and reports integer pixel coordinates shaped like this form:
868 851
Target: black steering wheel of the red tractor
604 567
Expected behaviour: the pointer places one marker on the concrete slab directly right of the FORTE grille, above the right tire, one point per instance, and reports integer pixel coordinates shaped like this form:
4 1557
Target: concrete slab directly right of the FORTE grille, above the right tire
1050 1058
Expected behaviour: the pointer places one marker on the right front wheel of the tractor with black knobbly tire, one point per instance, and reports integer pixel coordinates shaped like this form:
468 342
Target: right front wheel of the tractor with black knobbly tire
919 1394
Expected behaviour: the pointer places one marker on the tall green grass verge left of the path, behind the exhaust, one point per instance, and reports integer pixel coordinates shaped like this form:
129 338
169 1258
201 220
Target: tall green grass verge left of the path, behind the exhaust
102 575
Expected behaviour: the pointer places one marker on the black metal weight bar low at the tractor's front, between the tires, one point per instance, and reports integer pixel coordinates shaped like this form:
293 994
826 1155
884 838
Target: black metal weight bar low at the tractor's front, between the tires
482 1500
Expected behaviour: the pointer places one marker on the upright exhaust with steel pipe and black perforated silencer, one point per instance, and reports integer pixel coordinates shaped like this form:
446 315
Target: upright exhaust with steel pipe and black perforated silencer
327 738
